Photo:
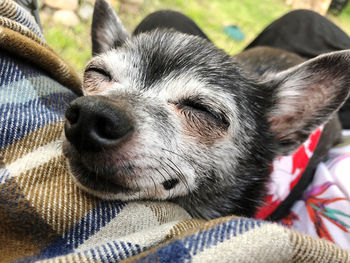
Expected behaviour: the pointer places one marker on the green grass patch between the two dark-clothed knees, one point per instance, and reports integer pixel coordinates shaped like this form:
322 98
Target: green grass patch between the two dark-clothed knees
212 16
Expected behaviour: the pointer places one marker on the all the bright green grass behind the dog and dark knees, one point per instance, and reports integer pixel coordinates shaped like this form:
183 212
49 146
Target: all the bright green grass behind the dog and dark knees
251 16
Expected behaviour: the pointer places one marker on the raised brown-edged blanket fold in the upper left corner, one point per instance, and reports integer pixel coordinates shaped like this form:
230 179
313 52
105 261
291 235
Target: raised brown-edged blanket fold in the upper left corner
20 35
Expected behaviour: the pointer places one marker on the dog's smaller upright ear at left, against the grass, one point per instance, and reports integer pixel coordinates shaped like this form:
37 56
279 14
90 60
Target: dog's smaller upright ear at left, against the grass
107 31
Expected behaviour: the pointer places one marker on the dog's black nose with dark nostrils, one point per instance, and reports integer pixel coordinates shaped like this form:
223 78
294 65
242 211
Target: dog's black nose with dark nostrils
95 123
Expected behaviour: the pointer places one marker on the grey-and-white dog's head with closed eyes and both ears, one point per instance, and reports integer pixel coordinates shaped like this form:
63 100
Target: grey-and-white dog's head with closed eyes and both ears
168 116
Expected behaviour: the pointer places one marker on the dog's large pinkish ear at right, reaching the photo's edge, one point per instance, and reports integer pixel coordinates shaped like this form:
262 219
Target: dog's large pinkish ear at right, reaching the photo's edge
306 96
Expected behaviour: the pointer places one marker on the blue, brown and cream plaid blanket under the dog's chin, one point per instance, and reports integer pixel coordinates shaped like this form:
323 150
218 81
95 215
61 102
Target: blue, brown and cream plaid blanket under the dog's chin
45 217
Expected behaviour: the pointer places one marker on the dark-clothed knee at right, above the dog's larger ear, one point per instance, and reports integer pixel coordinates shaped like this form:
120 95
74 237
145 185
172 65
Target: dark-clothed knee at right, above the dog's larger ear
303 32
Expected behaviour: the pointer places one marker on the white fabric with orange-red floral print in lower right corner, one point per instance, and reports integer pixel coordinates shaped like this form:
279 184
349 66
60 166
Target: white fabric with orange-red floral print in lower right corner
324 210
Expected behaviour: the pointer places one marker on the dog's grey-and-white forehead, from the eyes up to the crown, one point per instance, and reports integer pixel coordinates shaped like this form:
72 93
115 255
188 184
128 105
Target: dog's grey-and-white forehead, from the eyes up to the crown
173 66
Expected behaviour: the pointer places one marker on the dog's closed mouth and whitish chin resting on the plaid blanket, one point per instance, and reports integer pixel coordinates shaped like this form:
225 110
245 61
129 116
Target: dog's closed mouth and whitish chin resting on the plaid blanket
121 179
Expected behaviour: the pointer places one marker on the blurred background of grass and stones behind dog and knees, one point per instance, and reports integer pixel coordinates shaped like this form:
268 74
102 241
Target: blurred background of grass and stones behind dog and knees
230 24
